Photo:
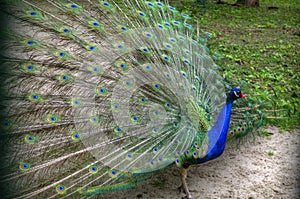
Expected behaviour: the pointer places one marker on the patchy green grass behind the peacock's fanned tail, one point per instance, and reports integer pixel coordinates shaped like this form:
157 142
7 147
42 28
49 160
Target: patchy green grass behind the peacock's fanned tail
259 46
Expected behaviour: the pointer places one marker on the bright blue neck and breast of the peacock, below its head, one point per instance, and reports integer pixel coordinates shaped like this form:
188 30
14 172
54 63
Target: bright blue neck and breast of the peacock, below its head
217 136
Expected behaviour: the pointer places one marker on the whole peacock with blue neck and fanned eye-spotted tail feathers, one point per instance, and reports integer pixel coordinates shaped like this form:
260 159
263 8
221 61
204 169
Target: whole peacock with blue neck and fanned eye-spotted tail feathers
97 95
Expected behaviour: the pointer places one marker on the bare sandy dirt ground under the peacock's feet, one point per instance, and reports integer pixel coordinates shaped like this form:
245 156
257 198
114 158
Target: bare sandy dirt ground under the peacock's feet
249 172
